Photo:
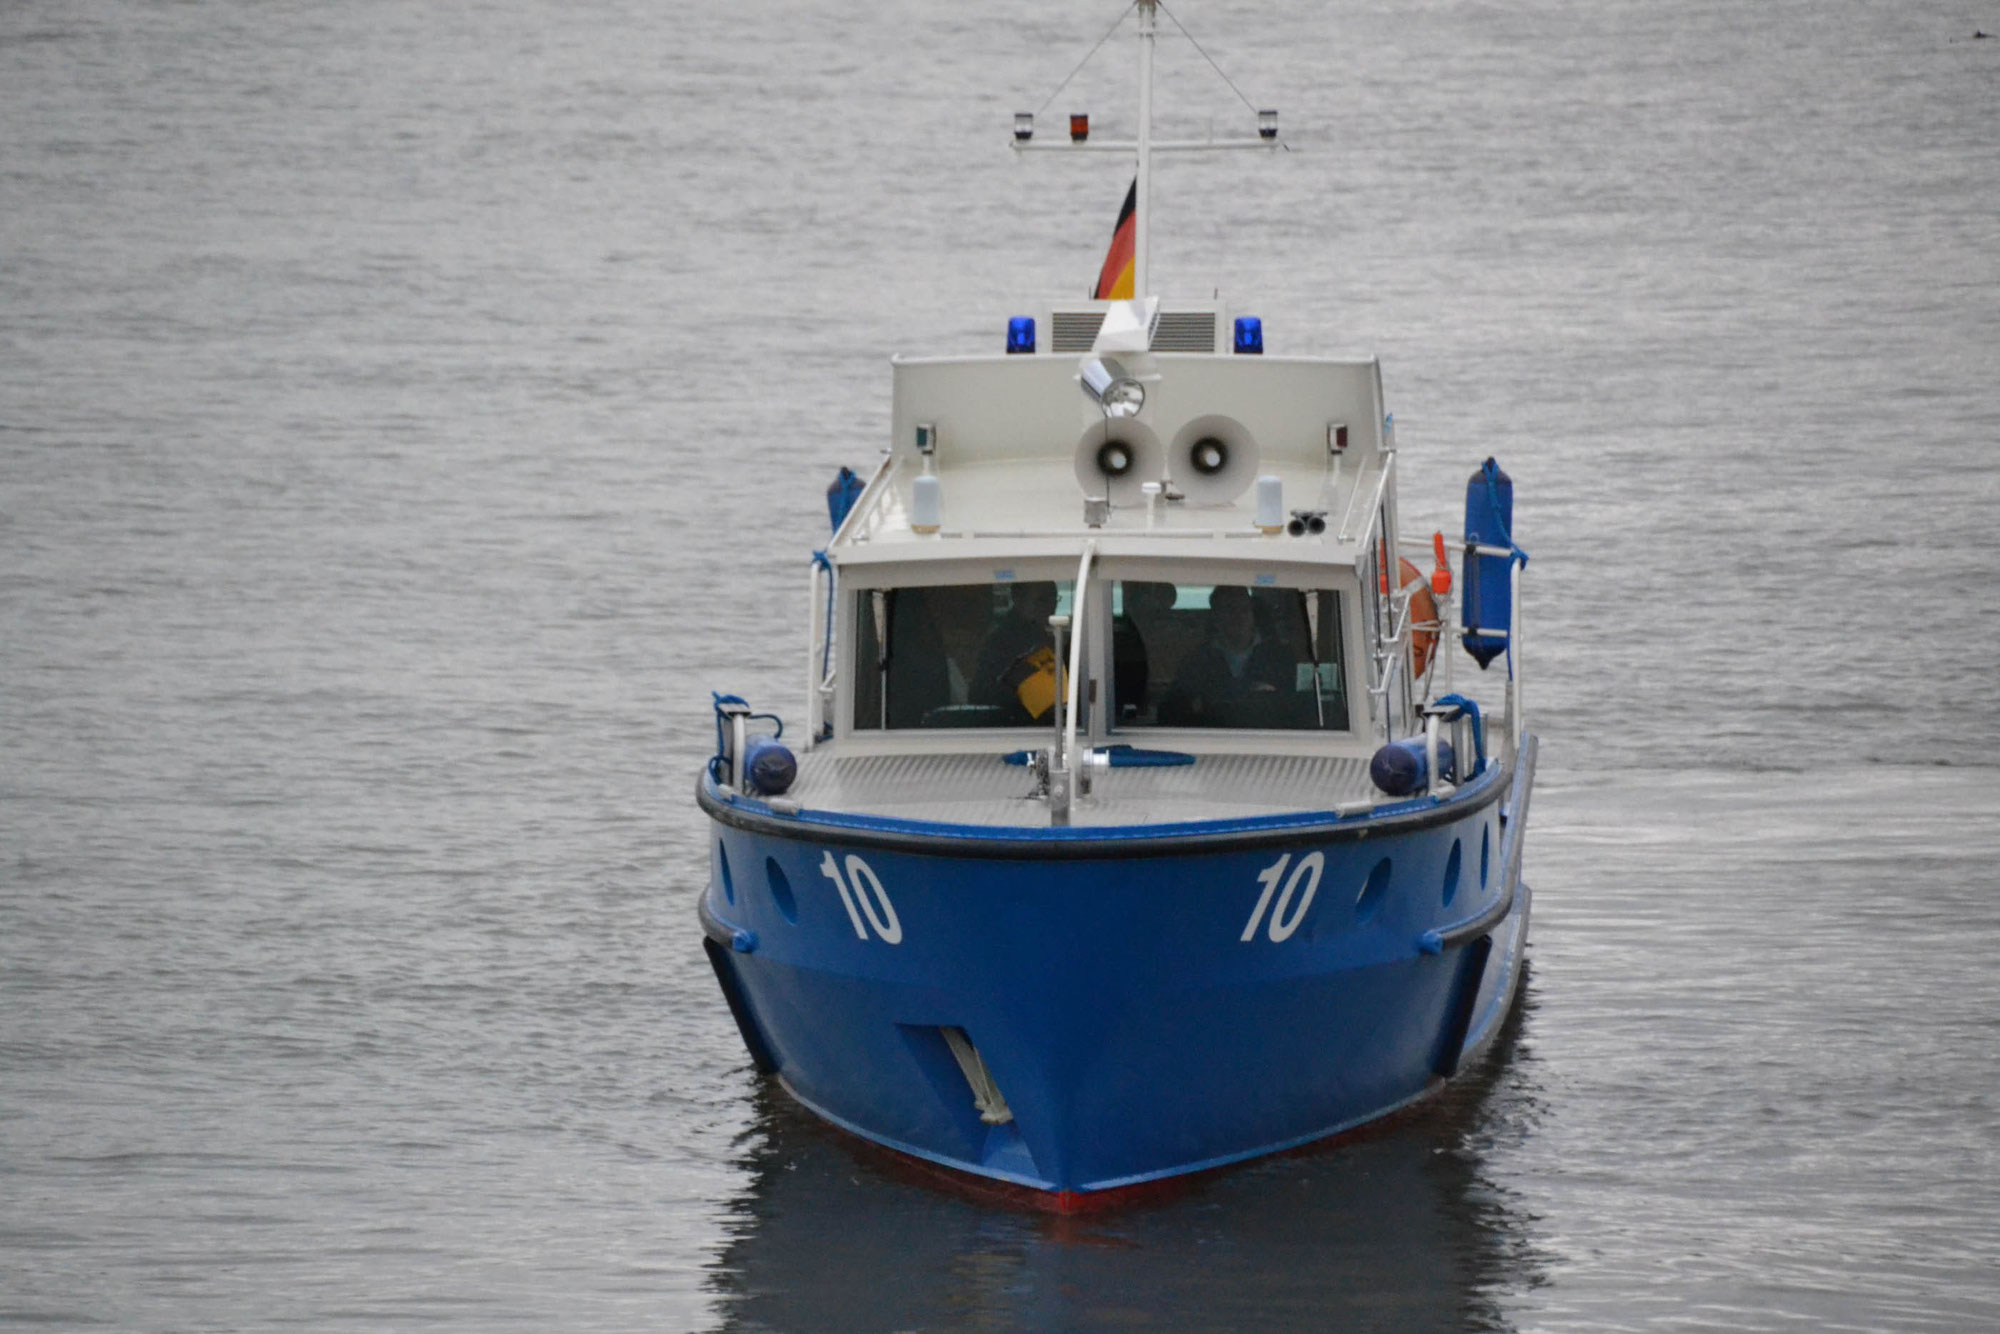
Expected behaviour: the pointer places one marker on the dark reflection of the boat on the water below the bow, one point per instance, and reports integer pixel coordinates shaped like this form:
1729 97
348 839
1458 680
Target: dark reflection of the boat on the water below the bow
1397 1229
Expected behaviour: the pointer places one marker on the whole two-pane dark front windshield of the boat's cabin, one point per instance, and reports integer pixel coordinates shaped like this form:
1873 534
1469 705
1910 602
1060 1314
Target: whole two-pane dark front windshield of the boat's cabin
1183 657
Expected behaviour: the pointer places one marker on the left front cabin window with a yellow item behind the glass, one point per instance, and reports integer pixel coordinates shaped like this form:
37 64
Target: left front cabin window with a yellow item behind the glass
957 655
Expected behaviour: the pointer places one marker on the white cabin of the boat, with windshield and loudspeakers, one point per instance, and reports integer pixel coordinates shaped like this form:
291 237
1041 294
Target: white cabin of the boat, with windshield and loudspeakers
943 601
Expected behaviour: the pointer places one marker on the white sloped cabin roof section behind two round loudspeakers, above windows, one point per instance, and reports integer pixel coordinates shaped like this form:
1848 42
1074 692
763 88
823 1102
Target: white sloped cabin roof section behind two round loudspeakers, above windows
1013 445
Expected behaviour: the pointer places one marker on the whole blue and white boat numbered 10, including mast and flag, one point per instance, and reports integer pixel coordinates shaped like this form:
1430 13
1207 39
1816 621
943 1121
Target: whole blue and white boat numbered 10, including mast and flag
1133 825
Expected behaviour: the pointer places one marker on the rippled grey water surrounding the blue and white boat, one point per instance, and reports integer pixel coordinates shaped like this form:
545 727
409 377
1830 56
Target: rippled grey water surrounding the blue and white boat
409 413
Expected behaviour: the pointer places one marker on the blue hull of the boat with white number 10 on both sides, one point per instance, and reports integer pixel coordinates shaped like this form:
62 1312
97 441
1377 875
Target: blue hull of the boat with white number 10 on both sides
1145 1007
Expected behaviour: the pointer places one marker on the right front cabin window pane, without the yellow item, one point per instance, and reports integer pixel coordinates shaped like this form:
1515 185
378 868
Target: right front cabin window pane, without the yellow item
1227 657
